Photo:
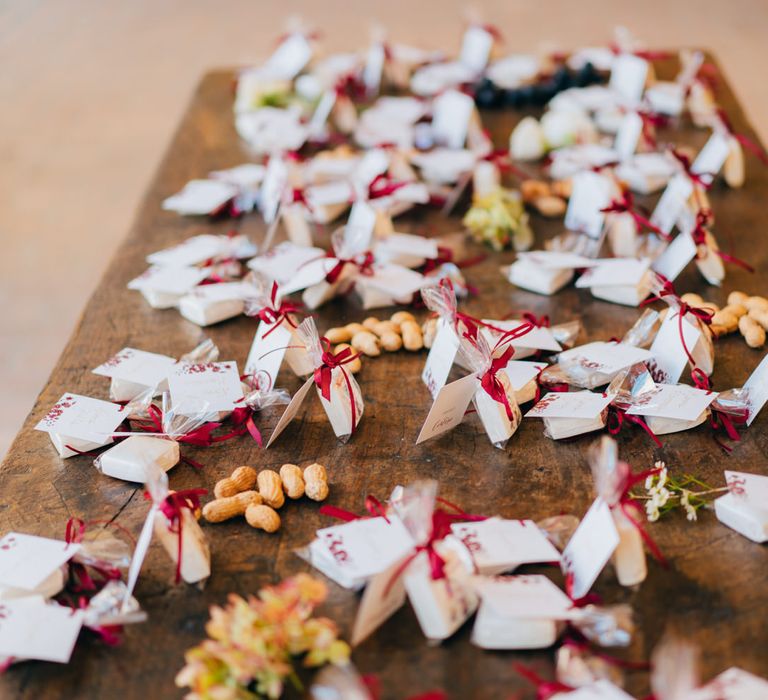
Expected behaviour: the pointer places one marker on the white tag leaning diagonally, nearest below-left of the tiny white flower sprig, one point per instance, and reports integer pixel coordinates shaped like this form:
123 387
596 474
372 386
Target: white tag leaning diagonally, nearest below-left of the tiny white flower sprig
590 548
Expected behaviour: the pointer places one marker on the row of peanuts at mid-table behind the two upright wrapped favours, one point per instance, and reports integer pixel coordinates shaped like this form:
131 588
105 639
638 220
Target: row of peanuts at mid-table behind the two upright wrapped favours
373 335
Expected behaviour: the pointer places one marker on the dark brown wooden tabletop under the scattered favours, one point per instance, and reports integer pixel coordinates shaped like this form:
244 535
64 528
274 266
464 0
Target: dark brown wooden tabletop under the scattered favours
713 591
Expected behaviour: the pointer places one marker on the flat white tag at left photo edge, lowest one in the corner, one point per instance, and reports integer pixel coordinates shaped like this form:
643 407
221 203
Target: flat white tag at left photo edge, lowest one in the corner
30 628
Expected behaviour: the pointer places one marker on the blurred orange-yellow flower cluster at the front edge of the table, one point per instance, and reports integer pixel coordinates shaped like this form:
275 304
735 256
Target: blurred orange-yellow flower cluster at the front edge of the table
253 643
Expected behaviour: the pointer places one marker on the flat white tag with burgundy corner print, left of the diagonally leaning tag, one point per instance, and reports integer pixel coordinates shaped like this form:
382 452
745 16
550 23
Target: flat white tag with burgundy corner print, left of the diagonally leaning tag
498 545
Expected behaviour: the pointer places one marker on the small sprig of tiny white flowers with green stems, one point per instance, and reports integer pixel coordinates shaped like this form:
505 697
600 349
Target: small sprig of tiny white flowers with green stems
665 493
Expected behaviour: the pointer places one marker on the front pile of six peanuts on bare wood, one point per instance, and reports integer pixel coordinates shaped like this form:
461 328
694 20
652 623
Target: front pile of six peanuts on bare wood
237 496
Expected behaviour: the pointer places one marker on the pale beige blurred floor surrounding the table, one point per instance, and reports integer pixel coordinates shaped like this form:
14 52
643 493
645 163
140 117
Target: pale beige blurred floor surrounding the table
90 92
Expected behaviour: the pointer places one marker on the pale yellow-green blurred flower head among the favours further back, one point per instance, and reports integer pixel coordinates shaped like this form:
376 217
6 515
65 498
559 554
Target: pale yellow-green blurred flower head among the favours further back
499 219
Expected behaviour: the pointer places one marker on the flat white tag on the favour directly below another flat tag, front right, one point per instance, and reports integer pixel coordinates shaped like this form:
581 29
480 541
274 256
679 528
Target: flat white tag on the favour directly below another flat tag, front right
532 597
